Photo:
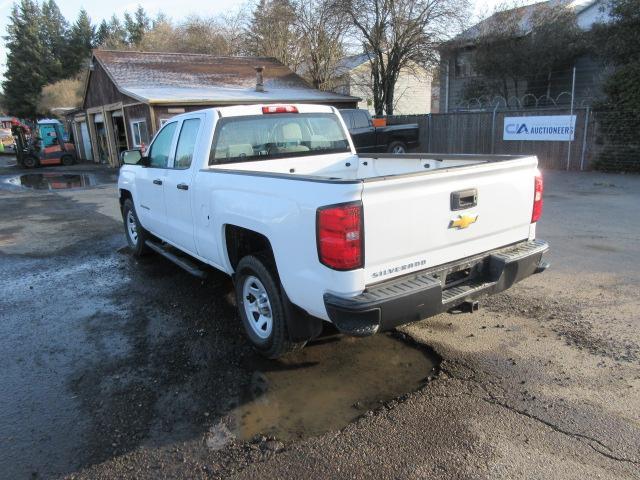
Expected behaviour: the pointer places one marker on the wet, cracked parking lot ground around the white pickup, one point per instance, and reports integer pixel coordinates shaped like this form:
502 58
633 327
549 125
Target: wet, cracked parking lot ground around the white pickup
119 368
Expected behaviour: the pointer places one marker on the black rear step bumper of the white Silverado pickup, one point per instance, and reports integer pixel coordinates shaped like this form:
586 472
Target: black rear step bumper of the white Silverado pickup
420 295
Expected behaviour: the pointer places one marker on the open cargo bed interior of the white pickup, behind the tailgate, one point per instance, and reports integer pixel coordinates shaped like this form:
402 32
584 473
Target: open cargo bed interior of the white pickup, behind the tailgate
349 168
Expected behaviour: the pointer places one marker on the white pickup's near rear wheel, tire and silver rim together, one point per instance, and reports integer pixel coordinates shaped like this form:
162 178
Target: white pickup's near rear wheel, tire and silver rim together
261 308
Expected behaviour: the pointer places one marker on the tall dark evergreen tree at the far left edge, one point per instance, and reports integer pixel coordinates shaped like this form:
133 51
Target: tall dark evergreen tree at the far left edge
25 74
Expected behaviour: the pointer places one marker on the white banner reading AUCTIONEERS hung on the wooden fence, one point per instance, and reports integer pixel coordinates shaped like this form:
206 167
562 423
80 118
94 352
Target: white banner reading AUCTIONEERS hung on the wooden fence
560 128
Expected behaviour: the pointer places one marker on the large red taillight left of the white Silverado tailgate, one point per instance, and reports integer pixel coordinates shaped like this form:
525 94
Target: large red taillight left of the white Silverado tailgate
340 236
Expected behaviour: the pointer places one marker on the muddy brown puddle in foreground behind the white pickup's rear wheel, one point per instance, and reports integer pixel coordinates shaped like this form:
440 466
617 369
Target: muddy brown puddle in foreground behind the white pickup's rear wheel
327 385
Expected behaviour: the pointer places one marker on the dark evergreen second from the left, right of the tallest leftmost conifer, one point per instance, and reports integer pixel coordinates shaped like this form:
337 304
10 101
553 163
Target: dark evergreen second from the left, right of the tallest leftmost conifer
53 32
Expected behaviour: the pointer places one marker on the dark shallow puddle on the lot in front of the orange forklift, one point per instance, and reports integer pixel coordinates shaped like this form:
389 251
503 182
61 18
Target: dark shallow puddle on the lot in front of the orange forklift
56 181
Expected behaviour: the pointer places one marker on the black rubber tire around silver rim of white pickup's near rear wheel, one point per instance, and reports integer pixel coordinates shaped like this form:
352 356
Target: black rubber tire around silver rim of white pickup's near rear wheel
277 343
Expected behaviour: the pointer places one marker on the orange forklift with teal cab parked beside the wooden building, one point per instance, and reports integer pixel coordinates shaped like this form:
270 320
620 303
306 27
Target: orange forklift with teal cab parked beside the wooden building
46 145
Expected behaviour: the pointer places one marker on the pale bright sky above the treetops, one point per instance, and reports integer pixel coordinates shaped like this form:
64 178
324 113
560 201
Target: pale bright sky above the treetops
101 9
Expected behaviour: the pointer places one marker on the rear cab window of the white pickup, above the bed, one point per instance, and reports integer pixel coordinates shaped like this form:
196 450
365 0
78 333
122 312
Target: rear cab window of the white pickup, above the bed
265 137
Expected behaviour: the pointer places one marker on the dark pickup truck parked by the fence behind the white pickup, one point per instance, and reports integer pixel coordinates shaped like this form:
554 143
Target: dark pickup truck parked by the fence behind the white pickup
367 138
